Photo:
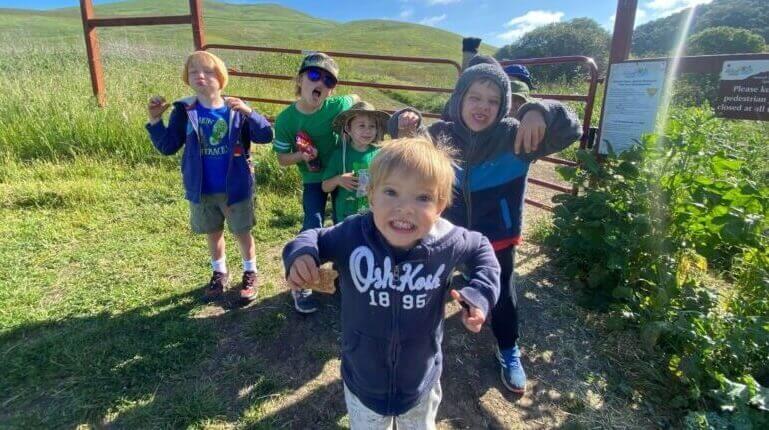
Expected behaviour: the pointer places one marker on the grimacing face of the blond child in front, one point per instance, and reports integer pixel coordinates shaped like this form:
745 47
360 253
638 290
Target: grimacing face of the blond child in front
404 209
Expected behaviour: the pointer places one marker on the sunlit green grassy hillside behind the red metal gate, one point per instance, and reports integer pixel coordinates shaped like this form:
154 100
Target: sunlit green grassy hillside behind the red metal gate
263 25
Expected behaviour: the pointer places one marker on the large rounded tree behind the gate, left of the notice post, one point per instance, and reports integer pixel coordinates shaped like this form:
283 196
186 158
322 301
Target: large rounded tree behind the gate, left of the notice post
580 36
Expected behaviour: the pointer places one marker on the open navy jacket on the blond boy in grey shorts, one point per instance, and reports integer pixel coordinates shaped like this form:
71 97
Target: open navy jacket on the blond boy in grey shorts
183 130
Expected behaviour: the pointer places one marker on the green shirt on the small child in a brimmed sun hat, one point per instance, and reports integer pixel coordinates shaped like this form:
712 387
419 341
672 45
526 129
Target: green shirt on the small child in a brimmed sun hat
348 203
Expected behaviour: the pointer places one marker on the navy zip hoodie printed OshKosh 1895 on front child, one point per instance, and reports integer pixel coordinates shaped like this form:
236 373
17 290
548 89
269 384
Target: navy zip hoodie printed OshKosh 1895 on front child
392 311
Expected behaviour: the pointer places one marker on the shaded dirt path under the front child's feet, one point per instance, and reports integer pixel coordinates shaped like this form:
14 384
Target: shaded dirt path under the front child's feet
579 376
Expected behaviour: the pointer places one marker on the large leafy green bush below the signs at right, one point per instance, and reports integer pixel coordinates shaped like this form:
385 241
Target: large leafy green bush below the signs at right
670 237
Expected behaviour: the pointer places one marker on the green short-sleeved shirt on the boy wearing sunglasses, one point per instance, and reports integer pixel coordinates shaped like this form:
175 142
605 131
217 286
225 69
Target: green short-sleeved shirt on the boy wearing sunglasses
317 125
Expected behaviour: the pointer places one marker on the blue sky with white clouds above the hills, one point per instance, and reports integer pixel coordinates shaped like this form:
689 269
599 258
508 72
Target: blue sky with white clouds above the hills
498 22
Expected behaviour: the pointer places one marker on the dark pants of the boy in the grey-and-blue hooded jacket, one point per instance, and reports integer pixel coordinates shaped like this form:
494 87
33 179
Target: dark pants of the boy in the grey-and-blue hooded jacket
504 315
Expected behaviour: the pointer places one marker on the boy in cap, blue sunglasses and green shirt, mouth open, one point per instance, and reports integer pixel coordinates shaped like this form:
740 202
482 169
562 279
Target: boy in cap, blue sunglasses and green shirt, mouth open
311 116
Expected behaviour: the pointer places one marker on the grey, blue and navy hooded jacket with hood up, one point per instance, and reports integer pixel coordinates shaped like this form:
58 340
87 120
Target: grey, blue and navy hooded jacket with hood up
490 177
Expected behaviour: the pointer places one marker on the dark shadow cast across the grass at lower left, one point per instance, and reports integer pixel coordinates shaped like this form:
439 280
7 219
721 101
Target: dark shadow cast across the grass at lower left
173 363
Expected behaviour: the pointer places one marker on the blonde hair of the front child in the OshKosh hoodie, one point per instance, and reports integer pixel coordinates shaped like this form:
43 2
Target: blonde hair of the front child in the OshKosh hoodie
416 156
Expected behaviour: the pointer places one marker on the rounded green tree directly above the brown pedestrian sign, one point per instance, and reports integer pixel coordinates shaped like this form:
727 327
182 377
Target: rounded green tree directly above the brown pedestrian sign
724 40
